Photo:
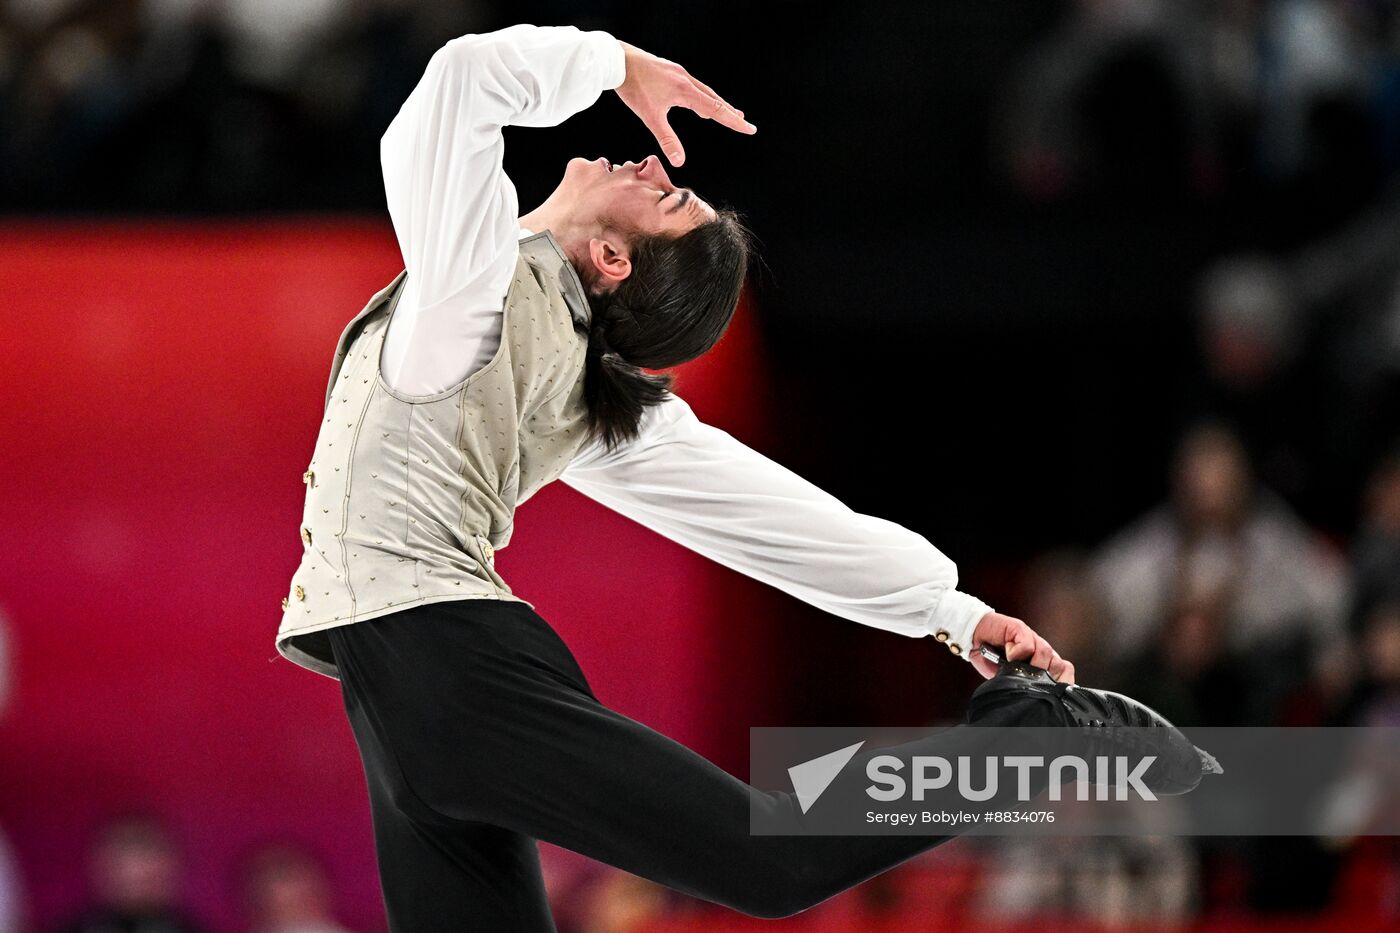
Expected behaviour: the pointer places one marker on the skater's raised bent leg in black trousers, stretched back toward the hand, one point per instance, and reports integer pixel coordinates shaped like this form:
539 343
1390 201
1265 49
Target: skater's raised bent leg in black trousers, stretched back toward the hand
493 722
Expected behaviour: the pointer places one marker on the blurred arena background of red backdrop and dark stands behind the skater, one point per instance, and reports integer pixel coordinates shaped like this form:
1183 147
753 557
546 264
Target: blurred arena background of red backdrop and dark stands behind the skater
1102 298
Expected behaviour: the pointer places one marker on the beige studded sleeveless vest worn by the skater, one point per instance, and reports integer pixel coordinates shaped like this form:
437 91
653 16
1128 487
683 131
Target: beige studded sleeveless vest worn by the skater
408 498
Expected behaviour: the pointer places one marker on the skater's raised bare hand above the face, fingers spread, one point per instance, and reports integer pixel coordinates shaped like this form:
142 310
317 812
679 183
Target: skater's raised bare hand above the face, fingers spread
654 86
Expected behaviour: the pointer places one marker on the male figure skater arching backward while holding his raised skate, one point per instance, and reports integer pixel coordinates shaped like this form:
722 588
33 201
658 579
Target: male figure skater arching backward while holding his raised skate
510 354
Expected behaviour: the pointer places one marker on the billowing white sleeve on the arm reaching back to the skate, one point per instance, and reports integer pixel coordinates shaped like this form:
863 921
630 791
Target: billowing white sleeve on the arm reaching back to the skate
699 487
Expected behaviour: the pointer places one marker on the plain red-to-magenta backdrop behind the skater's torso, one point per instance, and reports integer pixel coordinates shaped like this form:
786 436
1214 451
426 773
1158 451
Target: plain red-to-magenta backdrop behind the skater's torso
162 397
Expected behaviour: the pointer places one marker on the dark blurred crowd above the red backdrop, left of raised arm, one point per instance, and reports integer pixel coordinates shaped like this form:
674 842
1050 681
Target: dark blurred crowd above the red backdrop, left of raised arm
206 104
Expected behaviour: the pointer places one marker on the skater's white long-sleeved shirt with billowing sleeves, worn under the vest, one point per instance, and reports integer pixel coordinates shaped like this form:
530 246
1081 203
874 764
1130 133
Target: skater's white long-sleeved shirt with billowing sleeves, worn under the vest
457 219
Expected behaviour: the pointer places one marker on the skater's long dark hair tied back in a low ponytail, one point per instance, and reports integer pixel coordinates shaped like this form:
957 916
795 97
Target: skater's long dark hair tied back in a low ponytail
673 307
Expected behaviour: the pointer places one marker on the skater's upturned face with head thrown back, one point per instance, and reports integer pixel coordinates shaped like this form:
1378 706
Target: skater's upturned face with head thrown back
633 197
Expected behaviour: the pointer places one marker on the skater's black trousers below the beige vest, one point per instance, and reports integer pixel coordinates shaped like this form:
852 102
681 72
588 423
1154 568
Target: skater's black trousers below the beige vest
479 735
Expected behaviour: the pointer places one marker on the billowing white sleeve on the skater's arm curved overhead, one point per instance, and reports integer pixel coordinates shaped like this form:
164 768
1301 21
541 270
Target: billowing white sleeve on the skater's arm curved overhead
454 211
